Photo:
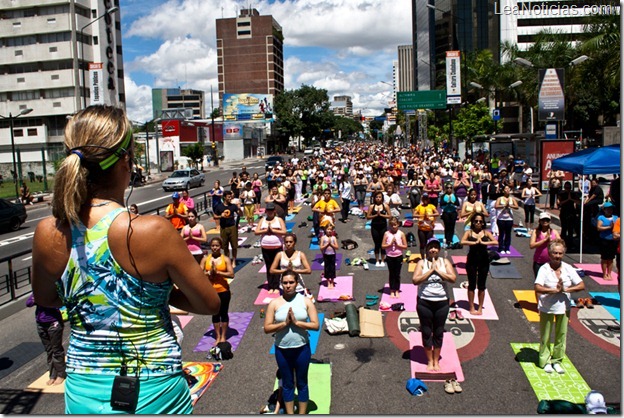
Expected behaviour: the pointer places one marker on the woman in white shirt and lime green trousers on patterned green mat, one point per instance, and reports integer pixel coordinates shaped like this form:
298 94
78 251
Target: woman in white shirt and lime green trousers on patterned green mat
553 285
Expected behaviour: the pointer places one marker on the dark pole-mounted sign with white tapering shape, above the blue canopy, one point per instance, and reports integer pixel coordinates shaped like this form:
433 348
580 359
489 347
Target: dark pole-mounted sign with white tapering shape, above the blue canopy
551 100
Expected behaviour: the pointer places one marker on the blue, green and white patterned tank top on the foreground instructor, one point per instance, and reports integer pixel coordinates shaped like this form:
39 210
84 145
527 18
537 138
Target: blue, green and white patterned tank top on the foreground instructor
114 316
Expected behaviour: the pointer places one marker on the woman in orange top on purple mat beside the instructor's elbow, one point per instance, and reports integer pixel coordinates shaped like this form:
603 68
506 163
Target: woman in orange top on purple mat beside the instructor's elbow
218 269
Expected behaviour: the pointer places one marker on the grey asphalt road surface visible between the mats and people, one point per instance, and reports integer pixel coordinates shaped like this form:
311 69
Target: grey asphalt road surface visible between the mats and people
368 375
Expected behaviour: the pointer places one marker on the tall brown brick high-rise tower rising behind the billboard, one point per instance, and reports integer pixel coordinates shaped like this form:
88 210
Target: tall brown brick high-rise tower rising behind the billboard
250 56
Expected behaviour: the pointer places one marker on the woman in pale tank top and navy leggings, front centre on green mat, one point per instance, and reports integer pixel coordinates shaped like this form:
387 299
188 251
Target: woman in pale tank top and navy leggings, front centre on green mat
290 317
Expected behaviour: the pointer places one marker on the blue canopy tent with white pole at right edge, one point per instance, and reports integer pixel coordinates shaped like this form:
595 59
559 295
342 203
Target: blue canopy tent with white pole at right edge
603 160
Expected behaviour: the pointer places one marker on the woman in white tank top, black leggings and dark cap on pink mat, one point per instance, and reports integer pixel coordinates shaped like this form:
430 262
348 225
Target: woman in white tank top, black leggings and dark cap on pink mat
431 276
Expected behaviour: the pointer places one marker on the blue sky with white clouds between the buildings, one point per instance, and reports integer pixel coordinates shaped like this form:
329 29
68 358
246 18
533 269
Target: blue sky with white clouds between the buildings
346 47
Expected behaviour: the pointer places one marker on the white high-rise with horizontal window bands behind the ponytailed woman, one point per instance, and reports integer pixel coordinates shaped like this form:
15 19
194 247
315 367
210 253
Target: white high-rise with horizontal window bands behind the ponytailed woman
46 49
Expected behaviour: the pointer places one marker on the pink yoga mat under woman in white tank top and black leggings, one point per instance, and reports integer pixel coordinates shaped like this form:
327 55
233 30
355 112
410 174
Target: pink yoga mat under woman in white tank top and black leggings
449 361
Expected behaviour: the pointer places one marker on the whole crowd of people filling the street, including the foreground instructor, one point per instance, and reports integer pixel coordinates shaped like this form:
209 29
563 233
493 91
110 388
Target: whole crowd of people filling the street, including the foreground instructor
89 217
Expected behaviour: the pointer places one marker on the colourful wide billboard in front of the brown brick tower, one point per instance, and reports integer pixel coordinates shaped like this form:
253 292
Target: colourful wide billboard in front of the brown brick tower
247 106
